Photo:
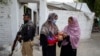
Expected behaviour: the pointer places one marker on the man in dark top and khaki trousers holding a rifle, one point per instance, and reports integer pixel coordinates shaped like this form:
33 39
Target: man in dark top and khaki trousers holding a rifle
26 36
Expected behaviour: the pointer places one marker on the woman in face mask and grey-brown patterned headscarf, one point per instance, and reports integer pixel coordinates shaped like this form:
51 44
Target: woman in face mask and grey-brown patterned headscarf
48 30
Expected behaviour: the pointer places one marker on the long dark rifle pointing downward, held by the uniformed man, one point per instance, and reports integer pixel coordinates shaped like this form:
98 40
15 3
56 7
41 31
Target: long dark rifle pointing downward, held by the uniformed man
16 41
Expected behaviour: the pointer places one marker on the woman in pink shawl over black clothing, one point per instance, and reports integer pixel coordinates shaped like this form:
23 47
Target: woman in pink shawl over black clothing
71 38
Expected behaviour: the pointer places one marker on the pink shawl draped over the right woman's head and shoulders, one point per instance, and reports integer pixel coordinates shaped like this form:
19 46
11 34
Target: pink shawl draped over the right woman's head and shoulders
74 32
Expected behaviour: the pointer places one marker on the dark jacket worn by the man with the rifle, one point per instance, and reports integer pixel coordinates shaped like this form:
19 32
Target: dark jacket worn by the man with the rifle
28 31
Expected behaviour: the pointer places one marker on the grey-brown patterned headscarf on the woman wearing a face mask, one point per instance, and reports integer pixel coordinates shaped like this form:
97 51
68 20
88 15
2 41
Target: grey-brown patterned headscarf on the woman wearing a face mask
49 25
